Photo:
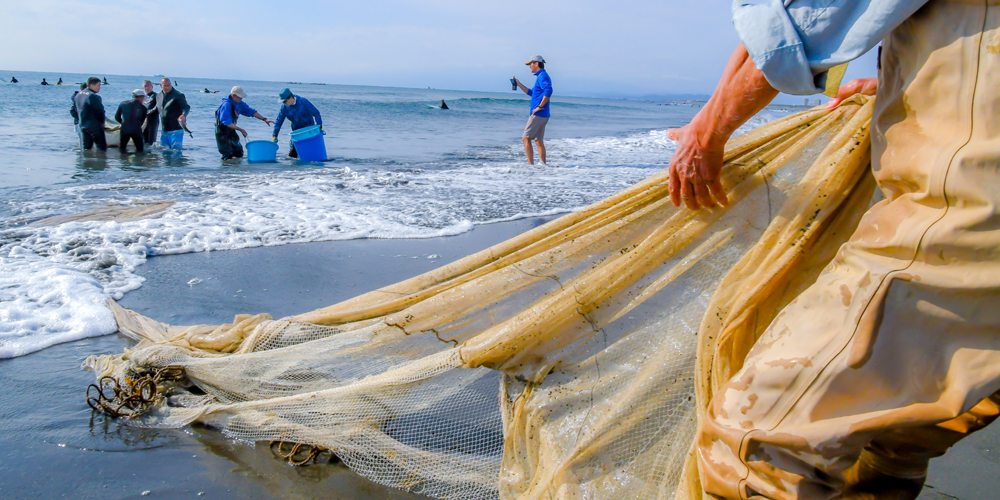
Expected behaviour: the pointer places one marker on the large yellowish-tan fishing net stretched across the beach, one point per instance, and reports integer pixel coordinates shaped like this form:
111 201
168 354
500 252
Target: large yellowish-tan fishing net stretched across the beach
558 364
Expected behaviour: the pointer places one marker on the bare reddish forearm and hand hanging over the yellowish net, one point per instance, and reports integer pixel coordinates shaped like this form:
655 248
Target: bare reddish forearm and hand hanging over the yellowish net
697 164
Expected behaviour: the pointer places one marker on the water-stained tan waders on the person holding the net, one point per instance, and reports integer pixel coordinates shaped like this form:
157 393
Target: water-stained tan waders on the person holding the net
892 355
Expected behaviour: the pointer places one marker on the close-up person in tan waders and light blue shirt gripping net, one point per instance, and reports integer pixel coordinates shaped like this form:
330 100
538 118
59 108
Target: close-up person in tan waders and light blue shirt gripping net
892 355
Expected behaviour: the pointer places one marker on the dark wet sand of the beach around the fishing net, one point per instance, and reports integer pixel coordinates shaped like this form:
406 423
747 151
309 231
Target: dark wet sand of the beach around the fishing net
53 446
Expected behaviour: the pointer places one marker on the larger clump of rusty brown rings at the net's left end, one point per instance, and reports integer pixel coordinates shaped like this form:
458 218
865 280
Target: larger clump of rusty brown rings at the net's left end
135 396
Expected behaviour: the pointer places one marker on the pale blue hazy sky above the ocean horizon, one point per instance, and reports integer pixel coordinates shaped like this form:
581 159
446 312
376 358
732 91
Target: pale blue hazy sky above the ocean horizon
625 48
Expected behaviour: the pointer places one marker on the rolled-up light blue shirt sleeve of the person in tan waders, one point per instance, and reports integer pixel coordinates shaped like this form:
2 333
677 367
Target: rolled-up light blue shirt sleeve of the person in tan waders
795 42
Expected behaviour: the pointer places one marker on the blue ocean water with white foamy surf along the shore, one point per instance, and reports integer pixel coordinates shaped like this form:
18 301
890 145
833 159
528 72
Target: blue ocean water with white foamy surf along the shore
398 168
